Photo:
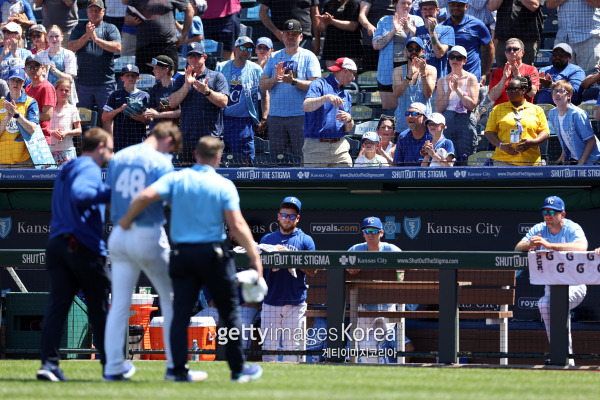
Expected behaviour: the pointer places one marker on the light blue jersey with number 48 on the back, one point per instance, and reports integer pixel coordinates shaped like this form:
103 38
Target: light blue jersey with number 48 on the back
130 171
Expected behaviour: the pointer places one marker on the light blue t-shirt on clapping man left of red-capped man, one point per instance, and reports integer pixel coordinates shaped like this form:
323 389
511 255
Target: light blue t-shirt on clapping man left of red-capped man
286 100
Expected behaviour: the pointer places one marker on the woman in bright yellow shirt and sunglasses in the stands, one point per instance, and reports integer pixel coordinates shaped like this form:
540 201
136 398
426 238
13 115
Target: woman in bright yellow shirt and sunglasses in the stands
517 128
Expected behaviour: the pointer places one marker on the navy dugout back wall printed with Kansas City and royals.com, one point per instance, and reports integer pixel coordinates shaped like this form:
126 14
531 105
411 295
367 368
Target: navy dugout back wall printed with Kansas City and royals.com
466 230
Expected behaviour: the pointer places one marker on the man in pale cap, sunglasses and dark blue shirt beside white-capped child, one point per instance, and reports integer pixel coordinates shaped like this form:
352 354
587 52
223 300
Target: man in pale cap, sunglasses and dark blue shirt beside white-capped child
409 149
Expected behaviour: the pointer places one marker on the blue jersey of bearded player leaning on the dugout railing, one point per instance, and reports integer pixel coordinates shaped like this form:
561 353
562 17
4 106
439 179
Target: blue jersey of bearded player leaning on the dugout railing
284 289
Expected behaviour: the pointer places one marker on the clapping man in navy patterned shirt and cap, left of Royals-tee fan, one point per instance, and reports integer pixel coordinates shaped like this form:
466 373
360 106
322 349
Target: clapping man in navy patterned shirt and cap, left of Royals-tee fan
202 94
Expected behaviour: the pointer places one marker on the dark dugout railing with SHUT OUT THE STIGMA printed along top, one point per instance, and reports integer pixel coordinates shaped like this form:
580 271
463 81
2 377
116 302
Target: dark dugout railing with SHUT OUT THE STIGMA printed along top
336 262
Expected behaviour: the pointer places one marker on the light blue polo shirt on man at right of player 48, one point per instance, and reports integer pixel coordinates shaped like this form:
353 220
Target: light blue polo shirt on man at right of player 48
198 196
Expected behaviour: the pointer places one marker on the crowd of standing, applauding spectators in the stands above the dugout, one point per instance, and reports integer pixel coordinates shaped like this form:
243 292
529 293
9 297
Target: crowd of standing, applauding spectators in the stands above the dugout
435 62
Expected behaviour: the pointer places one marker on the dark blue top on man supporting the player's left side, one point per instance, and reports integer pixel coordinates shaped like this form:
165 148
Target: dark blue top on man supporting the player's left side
78 203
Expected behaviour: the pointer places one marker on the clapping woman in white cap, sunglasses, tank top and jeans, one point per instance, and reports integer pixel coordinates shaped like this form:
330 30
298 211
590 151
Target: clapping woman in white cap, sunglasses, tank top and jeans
456 97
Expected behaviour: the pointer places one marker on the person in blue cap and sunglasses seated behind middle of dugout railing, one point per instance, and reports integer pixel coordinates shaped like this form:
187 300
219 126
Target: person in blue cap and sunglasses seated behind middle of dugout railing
372 231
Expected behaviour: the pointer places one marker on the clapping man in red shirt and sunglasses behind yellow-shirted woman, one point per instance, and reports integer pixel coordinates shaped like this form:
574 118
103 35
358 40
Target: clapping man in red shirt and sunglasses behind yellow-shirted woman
513 68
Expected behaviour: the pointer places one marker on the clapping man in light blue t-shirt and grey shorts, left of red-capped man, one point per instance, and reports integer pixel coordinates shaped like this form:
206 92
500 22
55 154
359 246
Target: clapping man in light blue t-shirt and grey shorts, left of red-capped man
287 75
